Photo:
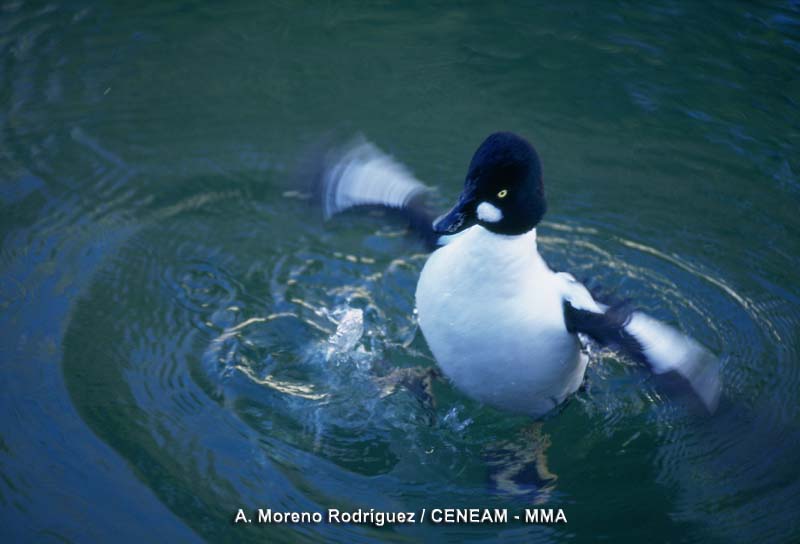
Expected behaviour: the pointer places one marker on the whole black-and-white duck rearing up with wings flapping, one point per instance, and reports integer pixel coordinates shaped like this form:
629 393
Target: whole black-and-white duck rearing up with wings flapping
503 327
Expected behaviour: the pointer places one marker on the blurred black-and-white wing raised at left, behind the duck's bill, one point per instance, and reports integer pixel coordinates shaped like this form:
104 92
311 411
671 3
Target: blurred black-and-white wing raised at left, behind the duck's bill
361 175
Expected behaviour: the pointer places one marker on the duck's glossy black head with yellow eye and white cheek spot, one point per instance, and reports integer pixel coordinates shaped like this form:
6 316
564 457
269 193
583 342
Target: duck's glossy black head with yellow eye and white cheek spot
503 190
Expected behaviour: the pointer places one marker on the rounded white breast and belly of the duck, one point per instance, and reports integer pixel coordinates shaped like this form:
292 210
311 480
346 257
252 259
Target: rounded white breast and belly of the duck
491 312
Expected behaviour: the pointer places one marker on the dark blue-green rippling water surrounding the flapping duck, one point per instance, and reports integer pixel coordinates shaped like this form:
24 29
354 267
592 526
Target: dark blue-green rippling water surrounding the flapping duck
169 311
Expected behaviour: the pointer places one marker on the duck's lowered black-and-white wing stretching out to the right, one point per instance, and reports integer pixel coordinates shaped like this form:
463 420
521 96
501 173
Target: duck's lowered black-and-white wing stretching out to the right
667 353
